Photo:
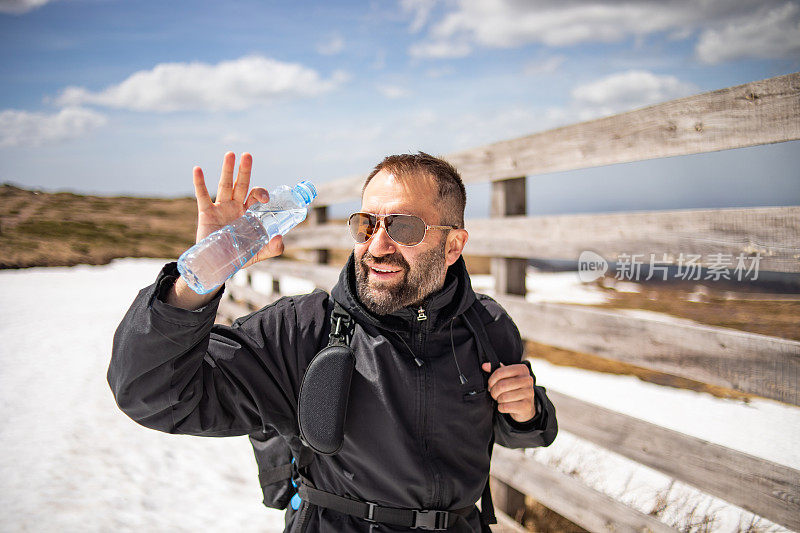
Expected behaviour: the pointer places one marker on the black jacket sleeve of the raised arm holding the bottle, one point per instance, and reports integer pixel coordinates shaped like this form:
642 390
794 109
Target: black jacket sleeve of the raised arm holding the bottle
174 370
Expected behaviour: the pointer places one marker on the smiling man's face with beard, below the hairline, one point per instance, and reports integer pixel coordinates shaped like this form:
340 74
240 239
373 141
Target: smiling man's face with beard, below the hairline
390 276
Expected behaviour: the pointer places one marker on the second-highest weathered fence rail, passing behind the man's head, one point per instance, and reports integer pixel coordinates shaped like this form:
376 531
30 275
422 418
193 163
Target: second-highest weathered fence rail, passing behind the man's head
771 232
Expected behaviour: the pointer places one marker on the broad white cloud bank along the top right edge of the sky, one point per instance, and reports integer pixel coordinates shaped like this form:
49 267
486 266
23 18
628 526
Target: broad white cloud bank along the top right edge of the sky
555 23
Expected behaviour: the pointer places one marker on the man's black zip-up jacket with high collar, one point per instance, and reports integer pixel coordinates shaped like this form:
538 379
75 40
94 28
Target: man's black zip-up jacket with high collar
415 436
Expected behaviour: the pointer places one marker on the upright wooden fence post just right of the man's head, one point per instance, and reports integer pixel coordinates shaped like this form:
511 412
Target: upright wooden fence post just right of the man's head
508 198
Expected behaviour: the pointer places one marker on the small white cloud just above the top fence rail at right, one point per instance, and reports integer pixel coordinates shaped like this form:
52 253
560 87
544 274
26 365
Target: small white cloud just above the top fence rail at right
626 90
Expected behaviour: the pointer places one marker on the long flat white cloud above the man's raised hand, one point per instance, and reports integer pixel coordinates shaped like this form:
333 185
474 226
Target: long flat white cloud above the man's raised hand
230 85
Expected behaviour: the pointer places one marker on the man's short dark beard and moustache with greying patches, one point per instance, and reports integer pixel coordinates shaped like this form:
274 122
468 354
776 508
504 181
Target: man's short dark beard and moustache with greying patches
417 283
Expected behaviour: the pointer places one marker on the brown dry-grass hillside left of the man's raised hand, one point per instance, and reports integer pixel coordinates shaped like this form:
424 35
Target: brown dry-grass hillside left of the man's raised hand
61 229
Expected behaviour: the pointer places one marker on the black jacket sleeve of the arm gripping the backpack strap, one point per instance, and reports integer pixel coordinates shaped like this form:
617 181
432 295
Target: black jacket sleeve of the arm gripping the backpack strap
542 429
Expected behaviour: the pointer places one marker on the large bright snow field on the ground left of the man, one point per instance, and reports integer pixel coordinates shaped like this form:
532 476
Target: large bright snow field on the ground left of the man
71 460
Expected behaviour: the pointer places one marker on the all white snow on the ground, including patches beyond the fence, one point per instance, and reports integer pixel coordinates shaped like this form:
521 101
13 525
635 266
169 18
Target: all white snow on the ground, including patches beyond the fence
73 462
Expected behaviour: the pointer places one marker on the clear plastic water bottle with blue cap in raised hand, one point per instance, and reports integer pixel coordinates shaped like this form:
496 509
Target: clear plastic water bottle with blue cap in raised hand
209 263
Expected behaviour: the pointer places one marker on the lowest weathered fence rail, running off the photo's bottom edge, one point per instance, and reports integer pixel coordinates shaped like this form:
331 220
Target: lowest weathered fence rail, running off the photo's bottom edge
569 497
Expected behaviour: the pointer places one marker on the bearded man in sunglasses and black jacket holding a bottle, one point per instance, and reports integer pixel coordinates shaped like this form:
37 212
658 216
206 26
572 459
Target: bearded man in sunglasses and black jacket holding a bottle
423 408
